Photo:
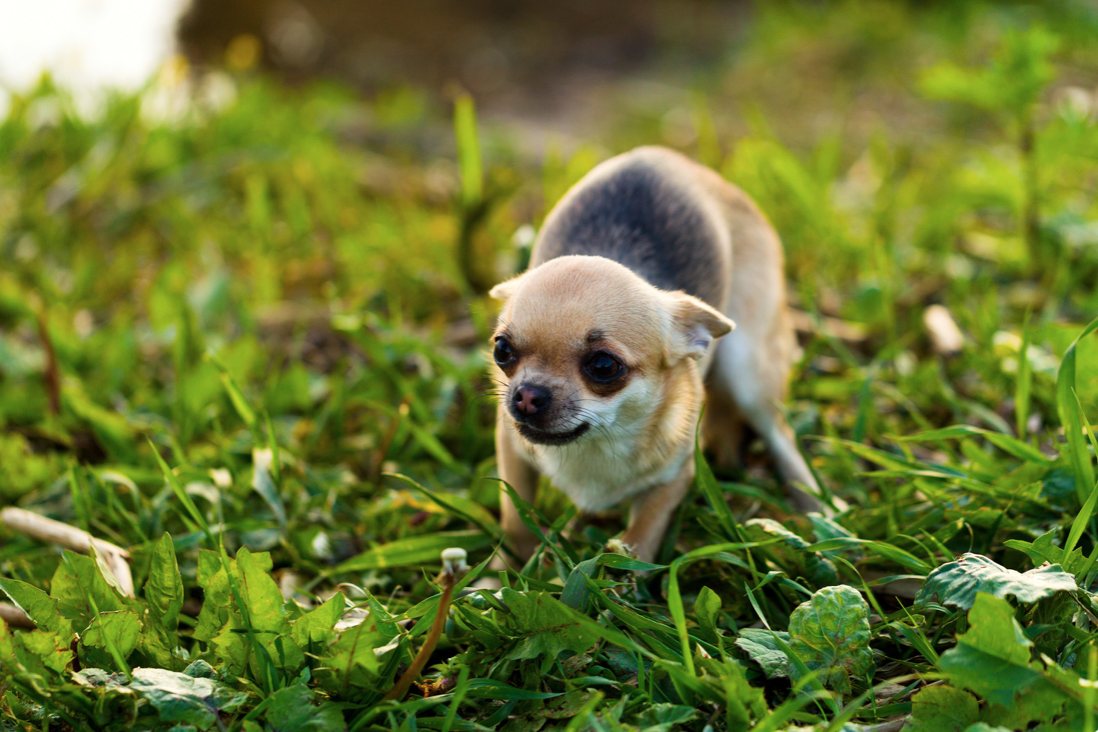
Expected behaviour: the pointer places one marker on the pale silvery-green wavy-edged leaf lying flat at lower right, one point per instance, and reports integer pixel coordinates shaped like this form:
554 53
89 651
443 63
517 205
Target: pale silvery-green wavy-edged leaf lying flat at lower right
958 583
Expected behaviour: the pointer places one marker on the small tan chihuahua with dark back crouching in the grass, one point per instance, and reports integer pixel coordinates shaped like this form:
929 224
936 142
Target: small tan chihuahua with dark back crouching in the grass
624 322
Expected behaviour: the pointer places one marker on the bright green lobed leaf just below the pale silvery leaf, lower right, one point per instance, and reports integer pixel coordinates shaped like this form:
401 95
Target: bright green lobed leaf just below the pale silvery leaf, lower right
993 658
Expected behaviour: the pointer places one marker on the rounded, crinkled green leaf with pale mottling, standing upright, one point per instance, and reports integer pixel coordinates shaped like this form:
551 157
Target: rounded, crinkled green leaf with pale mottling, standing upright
831 635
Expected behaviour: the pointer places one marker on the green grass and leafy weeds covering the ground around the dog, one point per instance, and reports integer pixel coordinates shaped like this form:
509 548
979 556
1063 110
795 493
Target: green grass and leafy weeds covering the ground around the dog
250 351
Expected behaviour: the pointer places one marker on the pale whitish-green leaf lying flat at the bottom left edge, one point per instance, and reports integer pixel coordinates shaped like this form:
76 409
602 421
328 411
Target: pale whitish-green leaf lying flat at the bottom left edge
182 699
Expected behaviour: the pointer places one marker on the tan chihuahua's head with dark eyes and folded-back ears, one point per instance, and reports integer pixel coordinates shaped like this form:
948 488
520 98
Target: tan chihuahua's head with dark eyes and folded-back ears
585 344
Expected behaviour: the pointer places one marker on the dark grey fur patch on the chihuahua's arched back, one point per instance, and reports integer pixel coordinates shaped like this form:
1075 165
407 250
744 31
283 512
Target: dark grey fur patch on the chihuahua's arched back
640 219
